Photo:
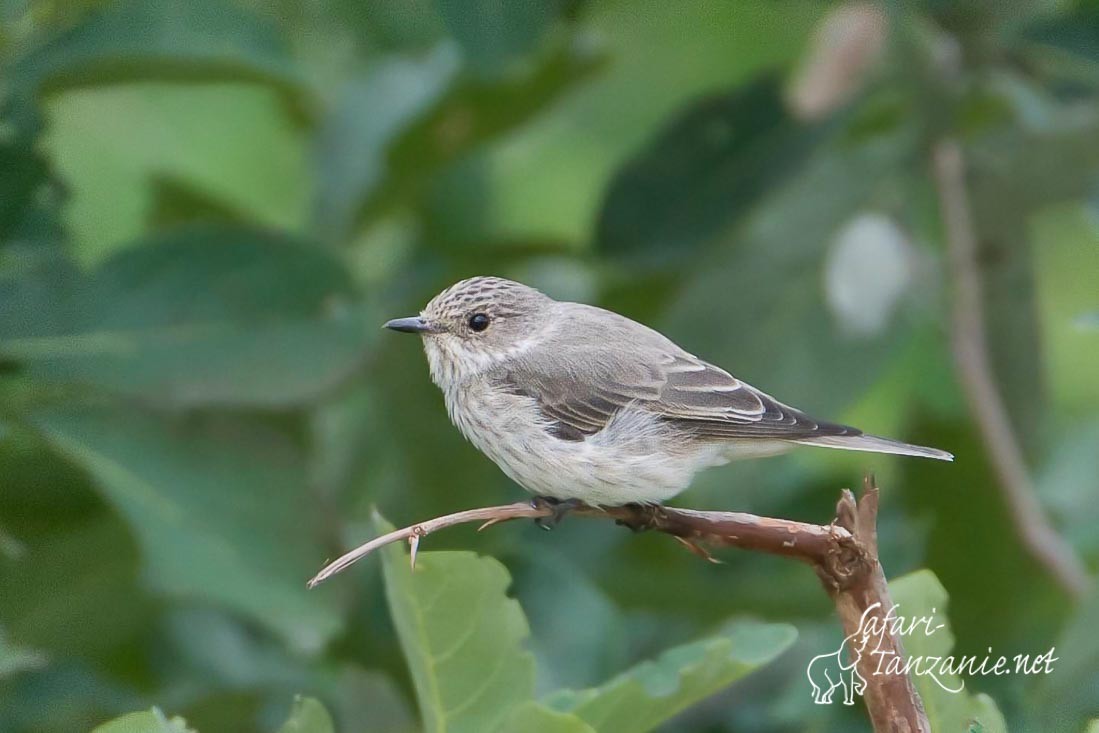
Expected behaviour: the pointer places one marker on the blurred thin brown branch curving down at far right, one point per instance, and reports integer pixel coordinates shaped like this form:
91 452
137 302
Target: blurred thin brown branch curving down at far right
970 345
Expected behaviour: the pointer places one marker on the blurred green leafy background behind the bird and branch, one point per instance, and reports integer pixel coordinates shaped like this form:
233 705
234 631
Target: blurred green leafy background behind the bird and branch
209 208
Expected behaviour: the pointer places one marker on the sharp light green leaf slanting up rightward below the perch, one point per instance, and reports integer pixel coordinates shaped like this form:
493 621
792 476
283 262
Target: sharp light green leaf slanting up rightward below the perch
650 694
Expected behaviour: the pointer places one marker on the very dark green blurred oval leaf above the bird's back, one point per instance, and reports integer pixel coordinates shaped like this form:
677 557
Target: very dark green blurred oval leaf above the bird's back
704 173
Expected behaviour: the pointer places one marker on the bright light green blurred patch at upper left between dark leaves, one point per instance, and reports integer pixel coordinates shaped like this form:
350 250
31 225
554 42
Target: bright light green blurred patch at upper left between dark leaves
124 151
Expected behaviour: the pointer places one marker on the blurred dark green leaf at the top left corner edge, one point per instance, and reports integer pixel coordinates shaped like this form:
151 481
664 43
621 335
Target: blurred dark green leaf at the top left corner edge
134 40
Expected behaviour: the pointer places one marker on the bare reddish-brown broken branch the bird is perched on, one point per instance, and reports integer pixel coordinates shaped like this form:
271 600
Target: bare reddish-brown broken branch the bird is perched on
845 556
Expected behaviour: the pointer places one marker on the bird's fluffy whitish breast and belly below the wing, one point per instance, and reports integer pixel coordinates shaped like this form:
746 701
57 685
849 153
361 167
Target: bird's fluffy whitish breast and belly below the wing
631 460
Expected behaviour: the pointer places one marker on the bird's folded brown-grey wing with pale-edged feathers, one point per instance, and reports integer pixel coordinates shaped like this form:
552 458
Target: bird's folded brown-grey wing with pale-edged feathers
581 393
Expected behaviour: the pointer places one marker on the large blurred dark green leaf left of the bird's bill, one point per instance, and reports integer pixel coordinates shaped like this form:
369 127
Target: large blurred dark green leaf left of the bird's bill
201 316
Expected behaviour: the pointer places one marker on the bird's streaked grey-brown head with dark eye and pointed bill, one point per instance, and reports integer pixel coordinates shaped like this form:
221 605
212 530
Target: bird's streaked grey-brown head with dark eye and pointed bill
478 324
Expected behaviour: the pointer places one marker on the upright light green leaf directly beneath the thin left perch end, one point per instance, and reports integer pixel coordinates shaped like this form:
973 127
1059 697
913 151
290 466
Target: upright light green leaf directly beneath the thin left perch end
462 638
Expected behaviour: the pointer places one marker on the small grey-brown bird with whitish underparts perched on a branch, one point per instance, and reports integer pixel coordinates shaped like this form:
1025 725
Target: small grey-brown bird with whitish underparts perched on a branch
580 404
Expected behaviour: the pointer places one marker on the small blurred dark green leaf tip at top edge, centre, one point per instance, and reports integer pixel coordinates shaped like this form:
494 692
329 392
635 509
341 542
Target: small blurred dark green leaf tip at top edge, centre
496 35
